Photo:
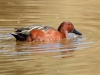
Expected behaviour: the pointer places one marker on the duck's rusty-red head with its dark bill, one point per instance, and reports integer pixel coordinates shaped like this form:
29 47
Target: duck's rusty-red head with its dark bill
67 27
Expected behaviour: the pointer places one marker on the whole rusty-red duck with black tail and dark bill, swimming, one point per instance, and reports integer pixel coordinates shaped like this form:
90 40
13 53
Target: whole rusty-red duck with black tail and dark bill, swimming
44 33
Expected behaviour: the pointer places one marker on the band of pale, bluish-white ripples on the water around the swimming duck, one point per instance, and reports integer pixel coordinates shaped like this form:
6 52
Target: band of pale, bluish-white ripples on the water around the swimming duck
20 48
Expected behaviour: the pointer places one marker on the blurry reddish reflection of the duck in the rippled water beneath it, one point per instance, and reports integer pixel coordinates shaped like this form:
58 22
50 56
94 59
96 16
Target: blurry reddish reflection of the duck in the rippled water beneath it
62 48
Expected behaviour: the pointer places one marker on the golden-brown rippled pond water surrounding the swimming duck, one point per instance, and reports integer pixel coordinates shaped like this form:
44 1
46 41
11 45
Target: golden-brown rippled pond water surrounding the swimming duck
77 57
